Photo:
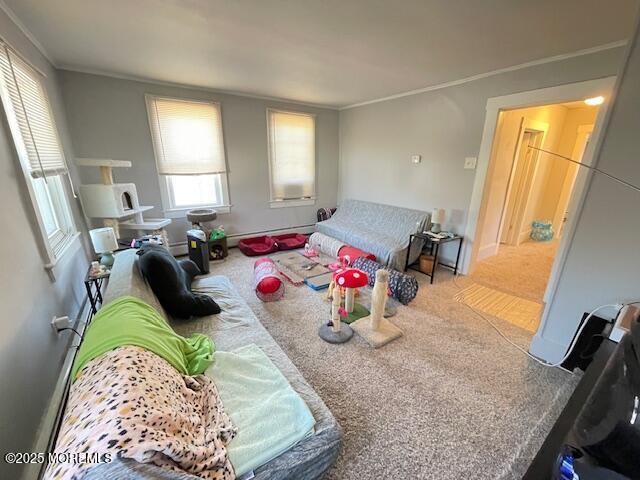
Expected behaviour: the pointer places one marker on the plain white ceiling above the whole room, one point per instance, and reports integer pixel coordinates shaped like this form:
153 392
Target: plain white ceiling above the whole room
328 52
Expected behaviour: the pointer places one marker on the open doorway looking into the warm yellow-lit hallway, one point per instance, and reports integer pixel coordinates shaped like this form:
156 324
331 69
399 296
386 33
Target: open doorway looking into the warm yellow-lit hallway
530 183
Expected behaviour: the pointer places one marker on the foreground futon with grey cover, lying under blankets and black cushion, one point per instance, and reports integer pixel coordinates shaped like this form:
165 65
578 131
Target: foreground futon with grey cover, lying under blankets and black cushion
234 327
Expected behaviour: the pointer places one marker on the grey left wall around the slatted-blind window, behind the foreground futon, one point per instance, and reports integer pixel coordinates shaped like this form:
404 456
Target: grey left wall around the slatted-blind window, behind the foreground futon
30 353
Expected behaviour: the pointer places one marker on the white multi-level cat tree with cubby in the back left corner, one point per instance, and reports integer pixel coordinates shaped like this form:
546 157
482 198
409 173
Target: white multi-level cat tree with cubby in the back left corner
117 204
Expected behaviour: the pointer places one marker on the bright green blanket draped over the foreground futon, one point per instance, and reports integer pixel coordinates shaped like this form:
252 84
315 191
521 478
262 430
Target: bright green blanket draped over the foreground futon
130 321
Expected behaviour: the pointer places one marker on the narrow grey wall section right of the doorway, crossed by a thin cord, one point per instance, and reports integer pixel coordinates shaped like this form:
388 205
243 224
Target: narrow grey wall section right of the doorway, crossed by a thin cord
603 259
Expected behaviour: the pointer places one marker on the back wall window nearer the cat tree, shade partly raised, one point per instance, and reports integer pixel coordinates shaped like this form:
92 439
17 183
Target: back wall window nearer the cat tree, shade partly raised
189 150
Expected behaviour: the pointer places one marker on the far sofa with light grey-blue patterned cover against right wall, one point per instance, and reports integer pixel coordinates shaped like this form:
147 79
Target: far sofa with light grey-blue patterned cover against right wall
380 229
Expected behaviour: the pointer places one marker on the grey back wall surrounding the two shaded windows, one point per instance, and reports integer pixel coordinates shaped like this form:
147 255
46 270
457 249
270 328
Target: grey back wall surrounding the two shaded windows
108 119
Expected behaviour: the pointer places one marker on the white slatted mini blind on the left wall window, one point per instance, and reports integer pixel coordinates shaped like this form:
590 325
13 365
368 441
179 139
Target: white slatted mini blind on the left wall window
26 96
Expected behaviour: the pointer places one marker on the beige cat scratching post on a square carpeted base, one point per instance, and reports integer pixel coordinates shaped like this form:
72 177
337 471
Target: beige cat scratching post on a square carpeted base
374 328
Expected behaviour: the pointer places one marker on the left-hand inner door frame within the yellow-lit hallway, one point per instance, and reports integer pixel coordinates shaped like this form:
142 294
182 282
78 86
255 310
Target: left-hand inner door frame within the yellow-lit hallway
527 125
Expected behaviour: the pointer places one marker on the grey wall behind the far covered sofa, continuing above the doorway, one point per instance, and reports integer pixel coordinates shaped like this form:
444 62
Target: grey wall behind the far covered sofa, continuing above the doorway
444 126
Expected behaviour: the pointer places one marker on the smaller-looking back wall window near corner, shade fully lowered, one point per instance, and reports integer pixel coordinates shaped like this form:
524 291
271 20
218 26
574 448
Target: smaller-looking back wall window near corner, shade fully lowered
292 159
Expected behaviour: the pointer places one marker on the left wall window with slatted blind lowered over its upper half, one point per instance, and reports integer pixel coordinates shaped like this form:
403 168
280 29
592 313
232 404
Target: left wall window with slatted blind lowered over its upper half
41 157
